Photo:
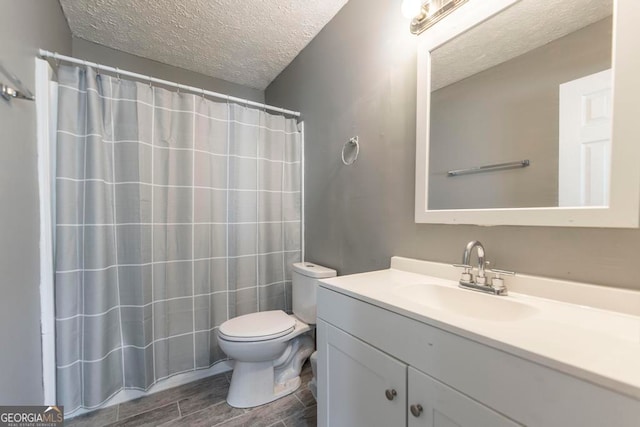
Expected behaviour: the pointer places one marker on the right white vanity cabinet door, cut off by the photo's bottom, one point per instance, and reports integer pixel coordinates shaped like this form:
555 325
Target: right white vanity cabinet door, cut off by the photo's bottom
442 406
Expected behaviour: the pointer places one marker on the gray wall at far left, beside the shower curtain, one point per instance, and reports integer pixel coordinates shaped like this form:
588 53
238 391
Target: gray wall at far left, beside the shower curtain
26 26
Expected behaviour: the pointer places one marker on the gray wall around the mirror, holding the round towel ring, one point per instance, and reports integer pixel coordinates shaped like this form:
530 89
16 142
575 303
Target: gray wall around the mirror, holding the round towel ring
358 77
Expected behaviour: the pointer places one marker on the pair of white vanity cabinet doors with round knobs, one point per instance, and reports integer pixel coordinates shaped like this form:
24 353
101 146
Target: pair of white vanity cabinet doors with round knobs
366 387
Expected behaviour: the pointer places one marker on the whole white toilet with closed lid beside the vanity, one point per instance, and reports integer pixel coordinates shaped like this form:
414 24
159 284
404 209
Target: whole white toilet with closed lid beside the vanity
270 347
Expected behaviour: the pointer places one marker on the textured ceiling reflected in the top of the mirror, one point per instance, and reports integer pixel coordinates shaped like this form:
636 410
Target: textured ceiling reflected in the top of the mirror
525 26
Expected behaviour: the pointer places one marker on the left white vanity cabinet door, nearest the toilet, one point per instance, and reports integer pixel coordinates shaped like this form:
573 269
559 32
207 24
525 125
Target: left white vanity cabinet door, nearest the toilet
362 386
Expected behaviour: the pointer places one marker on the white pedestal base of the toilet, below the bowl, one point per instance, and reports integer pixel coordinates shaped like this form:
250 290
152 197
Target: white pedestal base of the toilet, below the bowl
257 383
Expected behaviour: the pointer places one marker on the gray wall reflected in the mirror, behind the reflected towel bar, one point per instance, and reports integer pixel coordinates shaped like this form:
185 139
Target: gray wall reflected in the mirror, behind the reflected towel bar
506 113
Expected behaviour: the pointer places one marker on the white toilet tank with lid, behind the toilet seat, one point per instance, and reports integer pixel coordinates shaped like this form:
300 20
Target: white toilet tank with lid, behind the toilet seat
305 278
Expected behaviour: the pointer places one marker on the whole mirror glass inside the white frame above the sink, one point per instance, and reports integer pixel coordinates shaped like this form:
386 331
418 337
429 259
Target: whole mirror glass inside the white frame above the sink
531 83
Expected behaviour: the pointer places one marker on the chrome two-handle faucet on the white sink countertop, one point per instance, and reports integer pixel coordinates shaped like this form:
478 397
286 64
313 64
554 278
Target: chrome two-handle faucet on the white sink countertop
495 286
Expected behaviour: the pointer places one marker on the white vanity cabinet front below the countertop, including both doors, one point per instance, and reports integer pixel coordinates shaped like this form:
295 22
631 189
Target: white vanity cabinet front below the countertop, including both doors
366 350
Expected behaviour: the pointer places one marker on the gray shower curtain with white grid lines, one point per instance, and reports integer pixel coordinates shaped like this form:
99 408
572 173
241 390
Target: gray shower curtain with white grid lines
173 214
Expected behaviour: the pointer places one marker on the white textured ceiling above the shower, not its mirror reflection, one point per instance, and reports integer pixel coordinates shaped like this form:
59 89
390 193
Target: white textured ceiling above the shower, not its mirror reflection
248 42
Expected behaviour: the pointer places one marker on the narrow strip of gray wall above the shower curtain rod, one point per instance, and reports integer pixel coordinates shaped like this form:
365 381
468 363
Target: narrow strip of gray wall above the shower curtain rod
89 51
